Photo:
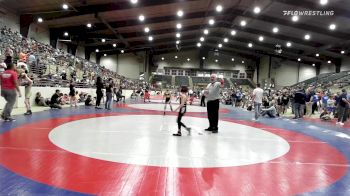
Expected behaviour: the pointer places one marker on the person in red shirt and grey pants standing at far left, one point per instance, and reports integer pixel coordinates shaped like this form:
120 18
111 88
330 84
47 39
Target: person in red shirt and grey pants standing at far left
9 86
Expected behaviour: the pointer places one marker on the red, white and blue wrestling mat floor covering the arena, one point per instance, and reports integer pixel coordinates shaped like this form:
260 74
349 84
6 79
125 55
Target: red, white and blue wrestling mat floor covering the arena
130 150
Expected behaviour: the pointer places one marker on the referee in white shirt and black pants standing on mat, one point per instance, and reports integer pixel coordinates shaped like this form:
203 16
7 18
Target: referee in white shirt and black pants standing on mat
213 98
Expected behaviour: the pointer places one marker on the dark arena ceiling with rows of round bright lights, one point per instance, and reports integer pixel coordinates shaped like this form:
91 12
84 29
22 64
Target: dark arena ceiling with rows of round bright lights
117 22
